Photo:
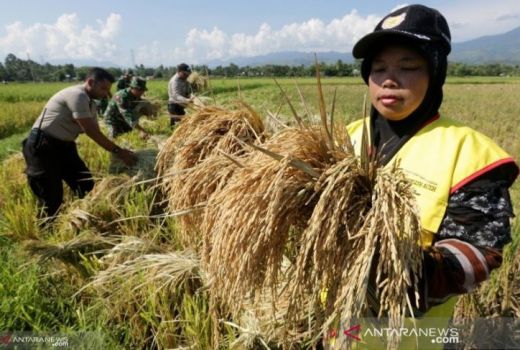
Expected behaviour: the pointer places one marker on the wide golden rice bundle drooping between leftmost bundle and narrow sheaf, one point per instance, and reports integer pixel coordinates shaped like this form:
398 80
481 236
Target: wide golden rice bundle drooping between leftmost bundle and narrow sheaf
248 222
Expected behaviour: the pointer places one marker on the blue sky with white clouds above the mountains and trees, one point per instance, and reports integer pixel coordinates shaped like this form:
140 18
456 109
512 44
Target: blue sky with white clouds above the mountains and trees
154 32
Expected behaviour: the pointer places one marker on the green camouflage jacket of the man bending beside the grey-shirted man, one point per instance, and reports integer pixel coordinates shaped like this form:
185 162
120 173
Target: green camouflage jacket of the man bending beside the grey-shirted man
122 109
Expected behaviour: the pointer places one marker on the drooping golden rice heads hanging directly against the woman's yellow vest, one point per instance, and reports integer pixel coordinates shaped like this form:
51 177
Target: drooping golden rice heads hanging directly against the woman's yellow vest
383 258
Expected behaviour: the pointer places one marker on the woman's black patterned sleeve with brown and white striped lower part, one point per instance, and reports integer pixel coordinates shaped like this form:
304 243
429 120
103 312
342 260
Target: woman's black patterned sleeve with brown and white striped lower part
469 243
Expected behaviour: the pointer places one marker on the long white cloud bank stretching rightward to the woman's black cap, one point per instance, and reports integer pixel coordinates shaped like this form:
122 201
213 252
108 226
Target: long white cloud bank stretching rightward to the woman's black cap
314 34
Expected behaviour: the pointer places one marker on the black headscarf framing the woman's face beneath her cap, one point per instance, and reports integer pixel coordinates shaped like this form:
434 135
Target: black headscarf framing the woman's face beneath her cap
389 136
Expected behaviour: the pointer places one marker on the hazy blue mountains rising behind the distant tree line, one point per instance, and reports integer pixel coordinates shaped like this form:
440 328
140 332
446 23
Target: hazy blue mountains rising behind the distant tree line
500 48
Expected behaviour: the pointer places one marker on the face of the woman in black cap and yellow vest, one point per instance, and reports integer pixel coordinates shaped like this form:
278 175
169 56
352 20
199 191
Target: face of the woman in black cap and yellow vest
398 81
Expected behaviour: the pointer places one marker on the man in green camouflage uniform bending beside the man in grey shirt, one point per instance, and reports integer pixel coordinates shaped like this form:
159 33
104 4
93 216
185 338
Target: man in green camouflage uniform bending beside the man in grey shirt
121 115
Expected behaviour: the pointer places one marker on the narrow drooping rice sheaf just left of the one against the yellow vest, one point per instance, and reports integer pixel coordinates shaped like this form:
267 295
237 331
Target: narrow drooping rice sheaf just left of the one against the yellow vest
343 203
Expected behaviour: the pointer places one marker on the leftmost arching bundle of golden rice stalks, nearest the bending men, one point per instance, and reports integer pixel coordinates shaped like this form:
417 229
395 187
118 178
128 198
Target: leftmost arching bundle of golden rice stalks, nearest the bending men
191 165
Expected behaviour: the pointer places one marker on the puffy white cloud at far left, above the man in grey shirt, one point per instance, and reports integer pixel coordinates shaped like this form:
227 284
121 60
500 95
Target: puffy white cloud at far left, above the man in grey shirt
64 39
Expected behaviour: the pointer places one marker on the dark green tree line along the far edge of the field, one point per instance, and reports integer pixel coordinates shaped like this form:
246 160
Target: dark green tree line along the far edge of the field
16 69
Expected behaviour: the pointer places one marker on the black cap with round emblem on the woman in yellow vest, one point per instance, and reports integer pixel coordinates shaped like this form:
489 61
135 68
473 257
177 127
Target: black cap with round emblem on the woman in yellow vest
415 23
